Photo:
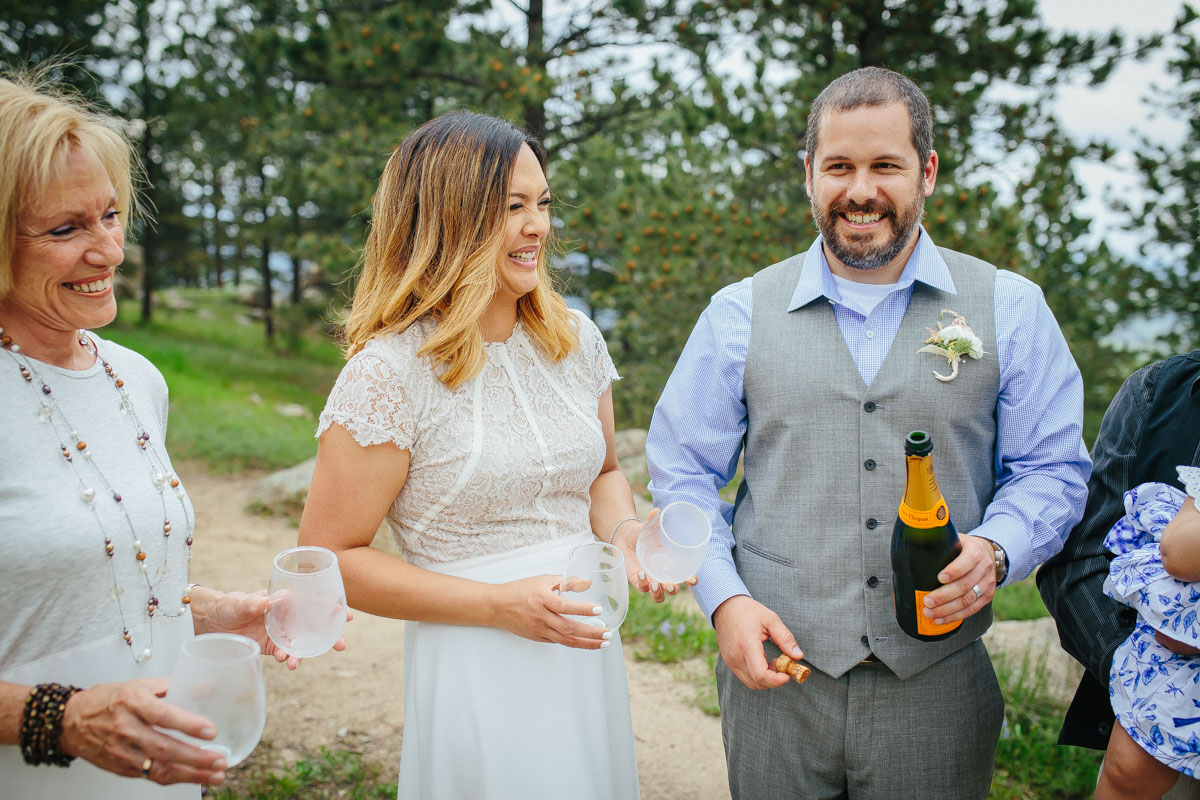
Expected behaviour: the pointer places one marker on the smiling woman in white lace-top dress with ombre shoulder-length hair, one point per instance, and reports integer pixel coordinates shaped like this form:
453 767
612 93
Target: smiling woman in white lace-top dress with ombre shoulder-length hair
476 414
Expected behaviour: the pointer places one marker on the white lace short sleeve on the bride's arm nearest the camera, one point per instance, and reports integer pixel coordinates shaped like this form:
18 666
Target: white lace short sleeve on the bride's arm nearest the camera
371 402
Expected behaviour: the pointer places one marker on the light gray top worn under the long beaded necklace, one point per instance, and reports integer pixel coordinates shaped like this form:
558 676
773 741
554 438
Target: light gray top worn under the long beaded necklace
57 582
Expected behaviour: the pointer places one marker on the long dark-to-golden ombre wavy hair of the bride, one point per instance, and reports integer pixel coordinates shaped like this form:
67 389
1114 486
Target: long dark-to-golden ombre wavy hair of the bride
437 233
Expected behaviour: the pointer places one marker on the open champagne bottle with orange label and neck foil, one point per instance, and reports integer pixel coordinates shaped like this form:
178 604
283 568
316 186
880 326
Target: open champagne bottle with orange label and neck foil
923 543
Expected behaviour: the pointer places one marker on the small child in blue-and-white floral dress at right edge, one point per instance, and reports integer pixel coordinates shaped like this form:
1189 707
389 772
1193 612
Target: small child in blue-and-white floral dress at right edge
1156 689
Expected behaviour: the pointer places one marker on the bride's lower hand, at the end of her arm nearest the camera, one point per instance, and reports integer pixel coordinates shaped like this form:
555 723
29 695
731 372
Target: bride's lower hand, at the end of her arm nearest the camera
533 610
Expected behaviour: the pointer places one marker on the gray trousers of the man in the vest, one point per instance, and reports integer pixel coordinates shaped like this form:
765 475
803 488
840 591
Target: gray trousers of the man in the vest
867 736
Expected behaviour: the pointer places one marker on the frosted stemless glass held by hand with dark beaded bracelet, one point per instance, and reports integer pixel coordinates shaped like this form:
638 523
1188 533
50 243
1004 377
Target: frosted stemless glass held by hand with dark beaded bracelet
219 677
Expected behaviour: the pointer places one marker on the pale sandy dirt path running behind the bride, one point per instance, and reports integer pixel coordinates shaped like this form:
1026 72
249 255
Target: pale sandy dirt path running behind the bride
355 699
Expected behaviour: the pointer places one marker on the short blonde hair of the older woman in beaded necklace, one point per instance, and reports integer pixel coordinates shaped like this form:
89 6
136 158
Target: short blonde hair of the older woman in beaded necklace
40 124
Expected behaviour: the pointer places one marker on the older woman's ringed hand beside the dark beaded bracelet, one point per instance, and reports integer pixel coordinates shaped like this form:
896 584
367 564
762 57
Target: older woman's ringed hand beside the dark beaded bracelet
113 727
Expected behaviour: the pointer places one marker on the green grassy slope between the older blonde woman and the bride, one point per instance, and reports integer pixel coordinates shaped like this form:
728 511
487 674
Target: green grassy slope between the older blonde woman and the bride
226 383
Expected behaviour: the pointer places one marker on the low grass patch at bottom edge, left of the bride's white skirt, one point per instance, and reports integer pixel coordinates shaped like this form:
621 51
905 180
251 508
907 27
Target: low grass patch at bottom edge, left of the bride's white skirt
325 775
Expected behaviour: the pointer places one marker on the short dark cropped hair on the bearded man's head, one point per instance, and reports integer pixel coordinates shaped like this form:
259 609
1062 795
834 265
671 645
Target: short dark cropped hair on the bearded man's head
874 87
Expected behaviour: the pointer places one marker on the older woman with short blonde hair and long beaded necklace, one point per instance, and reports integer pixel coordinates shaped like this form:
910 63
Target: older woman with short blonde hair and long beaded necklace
95 526
